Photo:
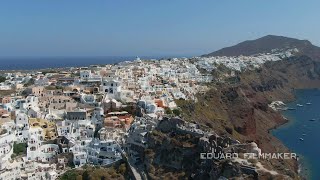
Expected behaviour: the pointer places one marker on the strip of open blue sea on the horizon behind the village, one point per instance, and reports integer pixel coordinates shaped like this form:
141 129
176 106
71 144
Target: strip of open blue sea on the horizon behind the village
30 63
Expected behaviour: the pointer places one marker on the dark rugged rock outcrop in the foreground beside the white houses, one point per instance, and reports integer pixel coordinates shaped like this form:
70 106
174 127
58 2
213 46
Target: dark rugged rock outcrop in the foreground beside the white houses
174 154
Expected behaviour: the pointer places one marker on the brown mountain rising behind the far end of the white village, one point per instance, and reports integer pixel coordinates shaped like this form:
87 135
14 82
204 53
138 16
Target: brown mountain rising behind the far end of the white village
267 44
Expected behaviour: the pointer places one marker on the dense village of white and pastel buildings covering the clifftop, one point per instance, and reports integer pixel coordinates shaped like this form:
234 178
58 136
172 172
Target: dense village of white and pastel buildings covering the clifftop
96 115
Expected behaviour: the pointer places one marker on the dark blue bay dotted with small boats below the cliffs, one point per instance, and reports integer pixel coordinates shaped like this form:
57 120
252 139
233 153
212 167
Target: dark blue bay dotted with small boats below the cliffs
298 124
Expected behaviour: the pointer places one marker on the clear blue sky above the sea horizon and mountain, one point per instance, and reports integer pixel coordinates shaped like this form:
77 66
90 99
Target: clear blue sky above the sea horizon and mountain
147 27
